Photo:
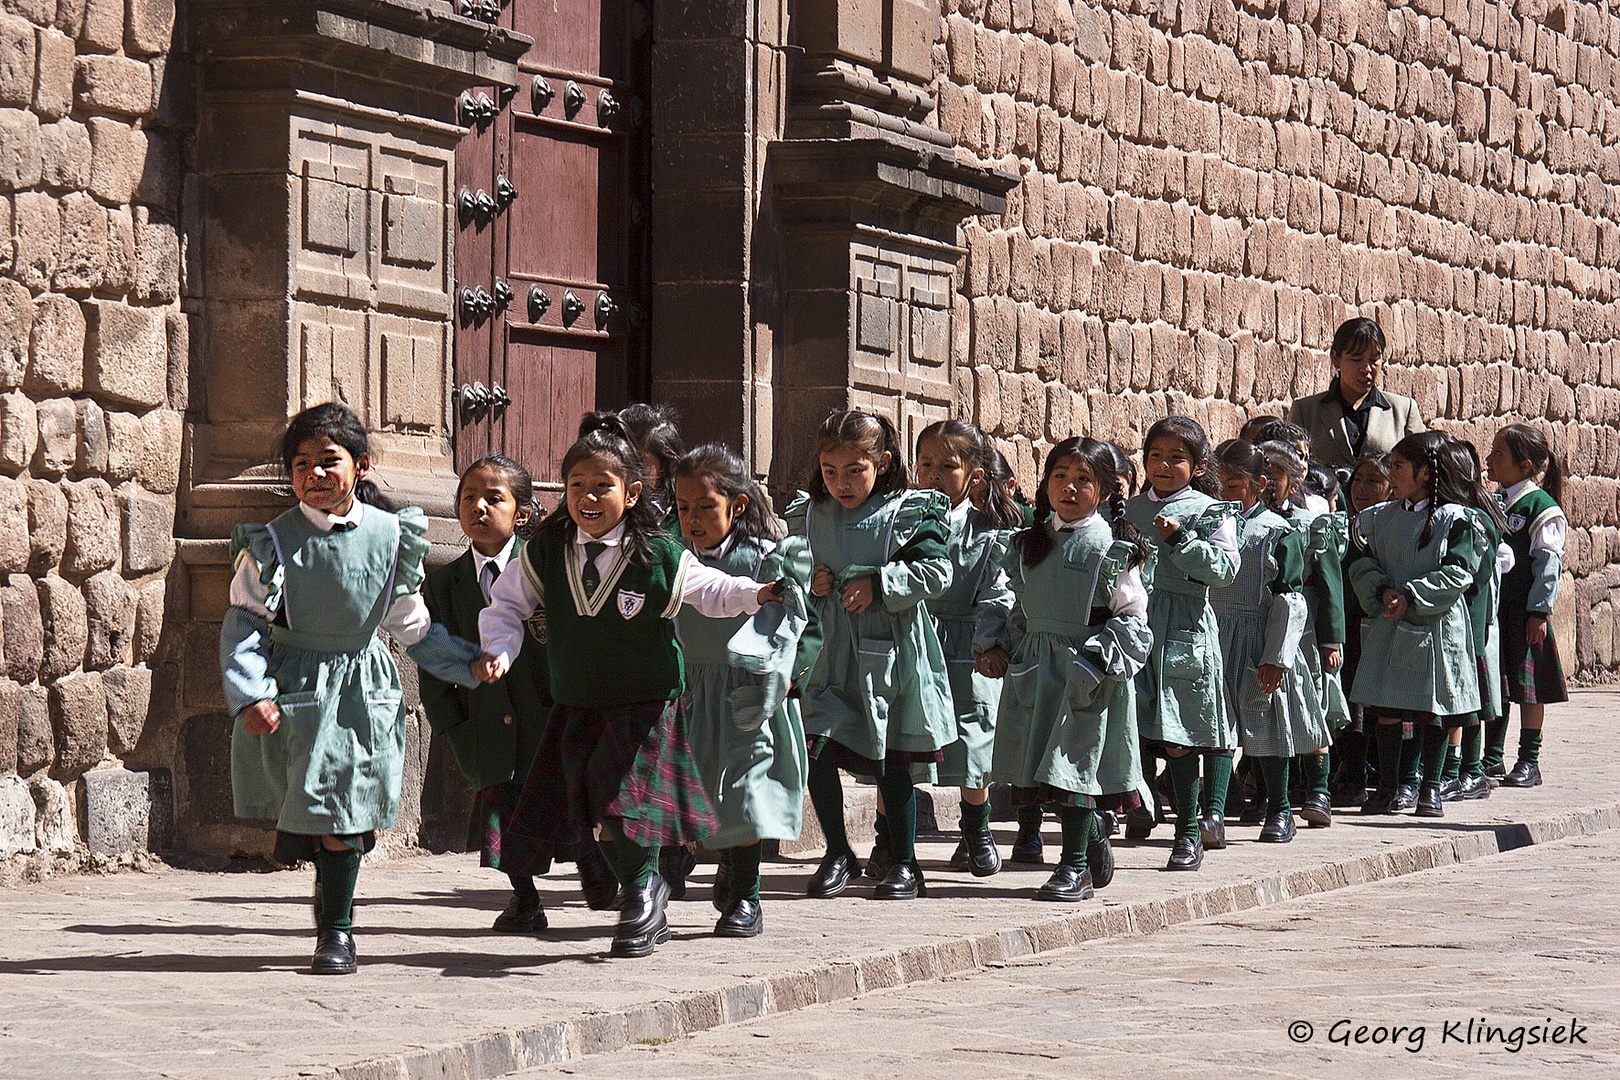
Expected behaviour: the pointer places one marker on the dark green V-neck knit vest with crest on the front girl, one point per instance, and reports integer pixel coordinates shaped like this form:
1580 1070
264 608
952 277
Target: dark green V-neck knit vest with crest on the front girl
616 647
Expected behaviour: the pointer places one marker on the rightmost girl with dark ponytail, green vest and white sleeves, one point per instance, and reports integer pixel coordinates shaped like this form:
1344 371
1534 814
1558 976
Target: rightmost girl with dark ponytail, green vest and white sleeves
1532 673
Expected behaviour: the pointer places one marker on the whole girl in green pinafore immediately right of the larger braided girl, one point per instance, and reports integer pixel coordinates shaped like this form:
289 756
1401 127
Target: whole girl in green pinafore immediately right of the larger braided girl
1180 700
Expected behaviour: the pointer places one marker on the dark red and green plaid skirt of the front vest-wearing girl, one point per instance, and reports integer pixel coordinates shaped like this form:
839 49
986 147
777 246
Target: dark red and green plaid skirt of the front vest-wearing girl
625 763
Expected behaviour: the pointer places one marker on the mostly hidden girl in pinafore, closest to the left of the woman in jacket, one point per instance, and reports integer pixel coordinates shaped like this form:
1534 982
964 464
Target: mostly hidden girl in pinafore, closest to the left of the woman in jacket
1326 537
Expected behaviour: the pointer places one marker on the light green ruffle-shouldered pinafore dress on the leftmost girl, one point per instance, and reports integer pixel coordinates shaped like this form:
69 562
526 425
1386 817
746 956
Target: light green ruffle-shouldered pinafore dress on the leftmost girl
335 765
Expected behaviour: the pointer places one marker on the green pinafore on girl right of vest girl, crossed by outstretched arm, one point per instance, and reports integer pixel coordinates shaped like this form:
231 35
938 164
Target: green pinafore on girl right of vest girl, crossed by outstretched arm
752 765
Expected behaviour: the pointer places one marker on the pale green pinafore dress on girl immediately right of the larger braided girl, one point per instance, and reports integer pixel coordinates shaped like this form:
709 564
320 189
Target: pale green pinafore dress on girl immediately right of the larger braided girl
1180 699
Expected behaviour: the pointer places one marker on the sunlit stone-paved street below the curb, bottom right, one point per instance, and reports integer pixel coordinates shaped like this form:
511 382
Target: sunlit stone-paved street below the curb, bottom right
1525 946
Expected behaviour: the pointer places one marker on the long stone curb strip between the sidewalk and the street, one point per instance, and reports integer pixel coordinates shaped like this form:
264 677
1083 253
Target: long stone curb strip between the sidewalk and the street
497 1055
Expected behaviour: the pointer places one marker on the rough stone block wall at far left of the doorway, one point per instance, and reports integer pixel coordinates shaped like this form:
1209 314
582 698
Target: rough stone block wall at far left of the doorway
93 385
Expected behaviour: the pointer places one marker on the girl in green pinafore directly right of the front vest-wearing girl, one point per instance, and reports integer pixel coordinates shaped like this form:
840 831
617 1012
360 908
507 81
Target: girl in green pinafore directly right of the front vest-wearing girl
748 739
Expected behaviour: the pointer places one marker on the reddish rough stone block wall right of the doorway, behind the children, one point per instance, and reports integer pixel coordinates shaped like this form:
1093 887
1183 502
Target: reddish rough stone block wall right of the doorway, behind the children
1209 190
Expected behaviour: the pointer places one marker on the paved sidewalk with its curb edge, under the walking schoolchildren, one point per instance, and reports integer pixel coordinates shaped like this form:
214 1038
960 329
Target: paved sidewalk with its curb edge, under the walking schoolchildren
203 976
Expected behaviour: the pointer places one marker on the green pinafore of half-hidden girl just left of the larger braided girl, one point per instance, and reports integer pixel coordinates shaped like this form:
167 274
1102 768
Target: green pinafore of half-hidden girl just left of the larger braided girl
971 618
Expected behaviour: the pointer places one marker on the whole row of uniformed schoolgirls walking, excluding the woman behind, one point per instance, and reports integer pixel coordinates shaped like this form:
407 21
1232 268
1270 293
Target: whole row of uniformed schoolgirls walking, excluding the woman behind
885 631
